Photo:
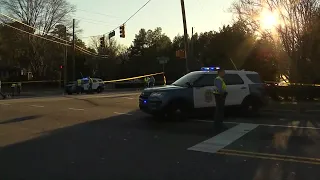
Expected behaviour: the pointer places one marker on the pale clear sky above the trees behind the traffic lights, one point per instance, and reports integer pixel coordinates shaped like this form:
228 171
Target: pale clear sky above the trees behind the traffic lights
97 17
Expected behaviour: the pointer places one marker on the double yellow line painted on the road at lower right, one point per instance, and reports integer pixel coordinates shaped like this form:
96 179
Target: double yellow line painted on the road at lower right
267 156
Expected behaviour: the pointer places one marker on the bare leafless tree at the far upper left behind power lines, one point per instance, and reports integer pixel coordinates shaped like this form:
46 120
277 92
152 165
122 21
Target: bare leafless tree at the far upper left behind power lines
44 16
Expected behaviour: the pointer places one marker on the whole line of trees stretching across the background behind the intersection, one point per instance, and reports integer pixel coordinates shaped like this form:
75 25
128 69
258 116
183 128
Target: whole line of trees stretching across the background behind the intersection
291 49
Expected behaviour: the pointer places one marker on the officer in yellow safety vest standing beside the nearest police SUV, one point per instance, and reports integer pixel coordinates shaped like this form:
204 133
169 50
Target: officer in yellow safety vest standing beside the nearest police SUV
220 94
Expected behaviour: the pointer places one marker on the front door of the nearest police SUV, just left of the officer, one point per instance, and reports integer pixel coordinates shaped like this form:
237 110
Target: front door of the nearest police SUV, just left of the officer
203 91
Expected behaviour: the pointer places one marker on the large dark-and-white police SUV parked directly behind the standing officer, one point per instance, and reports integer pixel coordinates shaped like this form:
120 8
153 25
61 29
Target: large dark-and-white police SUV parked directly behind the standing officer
194 91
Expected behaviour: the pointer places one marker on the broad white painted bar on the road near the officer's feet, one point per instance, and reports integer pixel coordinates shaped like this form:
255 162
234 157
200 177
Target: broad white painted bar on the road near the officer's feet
223 139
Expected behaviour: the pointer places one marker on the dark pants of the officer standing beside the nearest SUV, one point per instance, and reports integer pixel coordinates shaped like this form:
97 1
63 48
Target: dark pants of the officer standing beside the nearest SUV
219 112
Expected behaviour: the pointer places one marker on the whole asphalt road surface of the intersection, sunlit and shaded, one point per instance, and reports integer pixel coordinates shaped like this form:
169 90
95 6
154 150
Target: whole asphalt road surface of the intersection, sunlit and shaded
106 137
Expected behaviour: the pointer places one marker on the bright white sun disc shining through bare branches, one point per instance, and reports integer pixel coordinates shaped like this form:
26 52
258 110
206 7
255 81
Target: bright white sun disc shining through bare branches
268 20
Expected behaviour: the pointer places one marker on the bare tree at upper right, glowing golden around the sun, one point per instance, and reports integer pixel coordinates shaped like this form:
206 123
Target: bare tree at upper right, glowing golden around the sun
296 18
